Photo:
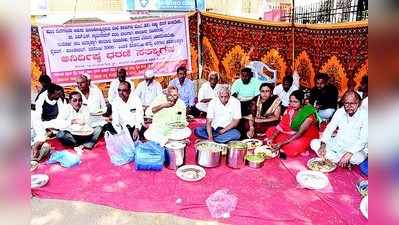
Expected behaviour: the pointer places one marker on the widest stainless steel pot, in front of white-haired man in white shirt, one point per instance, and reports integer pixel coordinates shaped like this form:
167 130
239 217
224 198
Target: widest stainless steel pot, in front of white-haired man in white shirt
209 154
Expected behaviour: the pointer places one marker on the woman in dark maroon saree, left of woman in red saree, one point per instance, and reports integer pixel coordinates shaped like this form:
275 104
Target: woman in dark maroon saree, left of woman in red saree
265 111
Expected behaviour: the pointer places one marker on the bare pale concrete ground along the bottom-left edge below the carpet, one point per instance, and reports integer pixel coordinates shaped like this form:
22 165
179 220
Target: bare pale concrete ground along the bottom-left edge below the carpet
62 212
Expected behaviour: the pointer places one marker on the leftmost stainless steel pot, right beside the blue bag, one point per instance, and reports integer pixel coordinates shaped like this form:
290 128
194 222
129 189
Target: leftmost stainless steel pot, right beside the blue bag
175 154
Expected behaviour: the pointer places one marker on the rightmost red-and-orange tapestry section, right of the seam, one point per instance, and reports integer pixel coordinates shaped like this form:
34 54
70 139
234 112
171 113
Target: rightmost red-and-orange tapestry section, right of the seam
341 51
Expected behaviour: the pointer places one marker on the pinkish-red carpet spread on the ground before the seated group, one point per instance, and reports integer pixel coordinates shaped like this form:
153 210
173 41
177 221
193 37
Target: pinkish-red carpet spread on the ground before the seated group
269 195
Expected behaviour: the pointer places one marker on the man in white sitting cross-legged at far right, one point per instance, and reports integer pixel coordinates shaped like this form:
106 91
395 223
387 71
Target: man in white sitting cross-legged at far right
349 146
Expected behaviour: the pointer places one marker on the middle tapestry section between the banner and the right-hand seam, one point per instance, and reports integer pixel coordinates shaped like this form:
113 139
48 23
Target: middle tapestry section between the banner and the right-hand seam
229 44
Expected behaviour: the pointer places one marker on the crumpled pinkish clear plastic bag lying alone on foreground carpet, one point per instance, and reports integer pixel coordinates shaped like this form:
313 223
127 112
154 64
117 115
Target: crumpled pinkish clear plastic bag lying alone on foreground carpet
221 203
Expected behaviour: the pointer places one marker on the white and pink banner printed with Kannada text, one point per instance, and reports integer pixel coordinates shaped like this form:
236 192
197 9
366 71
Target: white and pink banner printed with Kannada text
99 49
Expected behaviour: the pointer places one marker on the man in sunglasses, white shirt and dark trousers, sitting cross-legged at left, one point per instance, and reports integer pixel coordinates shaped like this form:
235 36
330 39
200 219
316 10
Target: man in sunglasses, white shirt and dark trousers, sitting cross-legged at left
75 113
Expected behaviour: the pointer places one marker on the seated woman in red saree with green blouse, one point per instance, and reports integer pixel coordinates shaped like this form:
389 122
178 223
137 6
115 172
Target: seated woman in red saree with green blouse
298 126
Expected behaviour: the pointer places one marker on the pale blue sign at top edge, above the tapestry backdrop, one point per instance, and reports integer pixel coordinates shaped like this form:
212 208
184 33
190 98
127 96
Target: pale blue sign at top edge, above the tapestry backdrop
164 5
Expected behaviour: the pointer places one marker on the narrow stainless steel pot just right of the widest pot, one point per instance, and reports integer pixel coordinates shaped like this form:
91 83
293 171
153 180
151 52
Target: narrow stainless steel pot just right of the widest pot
236 154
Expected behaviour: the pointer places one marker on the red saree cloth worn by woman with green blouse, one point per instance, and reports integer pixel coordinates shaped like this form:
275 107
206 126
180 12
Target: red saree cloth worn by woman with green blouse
299 145
